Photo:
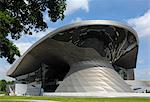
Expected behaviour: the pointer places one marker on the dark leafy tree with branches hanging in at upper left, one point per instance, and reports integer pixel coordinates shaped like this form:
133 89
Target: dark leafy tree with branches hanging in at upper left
19 17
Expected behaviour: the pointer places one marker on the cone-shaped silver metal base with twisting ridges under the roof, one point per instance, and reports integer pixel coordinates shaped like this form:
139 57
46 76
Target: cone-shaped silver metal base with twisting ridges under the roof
82 78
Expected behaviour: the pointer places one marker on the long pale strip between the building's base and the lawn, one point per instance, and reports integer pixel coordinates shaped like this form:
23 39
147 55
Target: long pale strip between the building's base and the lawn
98 94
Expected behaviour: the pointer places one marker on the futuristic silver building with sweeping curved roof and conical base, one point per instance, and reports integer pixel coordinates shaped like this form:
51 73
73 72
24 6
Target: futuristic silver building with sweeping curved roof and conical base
88 56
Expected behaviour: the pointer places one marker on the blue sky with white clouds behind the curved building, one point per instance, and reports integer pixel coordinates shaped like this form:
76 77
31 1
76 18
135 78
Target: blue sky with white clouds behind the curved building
135 13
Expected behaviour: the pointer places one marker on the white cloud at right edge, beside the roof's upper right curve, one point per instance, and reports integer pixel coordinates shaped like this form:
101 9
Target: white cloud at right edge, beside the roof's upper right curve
141 24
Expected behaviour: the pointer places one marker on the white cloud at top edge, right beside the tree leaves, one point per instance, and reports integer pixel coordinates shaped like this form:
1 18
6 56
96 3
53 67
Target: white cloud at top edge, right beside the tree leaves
74 5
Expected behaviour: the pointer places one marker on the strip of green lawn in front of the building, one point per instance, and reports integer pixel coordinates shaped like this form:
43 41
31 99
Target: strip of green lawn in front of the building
64 99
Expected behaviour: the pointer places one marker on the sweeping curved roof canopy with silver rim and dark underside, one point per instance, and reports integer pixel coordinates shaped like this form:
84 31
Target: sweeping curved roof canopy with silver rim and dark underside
113 41
